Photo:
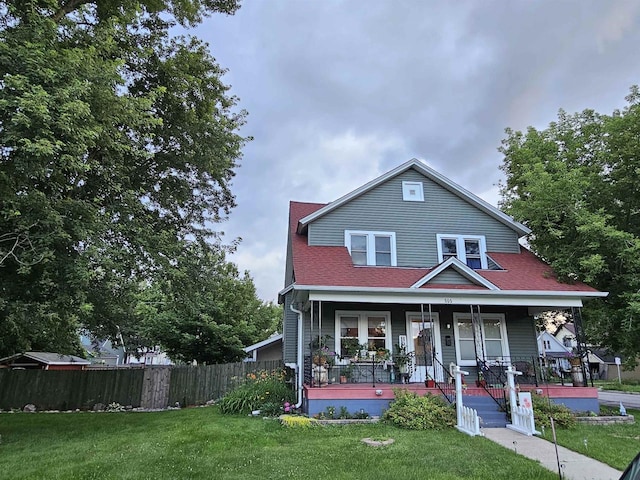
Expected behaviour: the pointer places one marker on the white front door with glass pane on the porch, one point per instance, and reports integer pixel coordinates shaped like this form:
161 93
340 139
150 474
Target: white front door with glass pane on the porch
424 342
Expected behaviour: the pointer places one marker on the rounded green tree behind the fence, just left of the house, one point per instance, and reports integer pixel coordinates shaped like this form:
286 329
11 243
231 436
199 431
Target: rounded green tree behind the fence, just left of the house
203 309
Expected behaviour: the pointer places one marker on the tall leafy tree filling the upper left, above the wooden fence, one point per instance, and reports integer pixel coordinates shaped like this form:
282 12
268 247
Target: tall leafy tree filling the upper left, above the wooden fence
117 144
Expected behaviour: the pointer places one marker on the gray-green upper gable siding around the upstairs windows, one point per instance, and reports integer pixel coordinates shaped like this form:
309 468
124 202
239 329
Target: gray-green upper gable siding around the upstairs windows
416 223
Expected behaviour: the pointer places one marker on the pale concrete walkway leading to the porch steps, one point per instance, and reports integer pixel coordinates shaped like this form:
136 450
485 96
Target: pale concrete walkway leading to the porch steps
574 466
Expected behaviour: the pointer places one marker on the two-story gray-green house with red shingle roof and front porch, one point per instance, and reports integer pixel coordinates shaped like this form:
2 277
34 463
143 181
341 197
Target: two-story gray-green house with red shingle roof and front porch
409 260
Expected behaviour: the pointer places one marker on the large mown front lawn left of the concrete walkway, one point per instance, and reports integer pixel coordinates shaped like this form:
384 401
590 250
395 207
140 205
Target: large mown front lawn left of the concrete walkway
201 443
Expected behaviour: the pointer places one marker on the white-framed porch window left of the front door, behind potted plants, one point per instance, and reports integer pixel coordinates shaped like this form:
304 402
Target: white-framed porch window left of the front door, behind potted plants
357 328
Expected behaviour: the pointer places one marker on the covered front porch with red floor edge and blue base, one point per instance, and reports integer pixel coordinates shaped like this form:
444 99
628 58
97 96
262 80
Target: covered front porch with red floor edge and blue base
357 349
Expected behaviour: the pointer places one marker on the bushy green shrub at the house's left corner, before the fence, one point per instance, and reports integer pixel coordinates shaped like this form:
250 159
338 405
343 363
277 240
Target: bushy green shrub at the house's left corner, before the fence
264 391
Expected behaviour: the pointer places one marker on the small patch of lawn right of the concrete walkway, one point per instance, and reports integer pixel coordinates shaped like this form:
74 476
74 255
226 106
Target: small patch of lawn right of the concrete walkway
615 445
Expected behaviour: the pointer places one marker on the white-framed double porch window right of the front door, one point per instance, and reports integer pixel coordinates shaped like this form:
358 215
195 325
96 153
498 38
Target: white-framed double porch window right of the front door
490 334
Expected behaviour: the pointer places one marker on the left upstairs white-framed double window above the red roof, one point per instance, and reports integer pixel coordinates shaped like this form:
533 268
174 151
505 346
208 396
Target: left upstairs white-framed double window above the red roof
371 248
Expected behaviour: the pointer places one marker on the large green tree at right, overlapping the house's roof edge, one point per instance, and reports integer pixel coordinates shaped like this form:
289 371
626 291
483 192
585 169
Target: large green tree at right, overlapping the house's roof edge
576 184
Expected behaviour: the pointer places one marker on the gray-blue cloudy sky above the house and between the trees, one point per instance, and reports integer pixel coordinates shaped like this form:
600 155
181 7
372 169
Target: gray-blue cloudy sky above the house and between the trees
339 92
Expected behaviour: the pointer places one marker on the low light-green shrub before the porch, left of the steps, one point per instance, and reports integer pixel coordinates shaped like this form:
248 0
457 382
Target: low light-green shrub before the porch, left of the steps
409 410
